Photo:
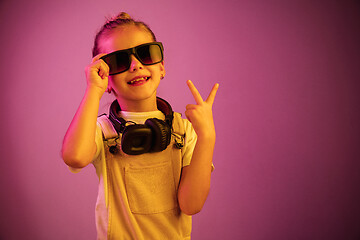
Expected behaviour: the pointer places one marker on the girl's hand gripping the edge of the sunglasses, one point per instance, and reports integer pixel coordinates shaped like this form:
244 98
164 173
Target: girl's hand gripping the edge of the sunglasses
97 74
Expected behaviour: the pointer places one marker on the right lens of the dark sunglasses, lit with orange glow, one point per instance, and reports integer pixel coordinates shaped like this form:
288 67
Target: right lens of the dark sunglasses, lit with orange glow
149 54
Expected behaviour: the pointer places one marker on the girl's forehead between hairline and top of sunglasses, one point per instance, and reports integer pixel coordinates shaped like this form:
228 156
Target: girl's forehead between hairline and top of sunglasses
124 37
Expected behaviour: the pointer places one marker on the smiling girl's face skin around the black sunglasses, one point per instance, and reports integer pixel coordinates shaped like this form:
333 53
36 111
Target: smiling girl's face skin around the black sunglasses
140 82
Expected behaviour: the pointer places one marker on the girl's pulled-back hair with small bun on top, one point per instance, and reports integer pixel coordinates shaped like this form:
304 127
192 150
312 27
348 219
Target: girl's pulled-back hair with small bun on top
122 19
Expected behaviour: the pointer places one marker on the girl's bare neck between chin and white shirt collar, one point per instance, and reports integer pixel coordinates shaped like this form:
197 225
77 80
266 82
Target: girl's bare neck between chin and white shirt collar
146 105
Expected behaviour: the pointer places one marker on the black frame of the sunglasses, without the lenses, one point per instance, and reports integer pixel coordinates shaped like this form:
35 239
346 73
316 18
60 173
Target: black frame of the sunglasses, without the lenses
133 51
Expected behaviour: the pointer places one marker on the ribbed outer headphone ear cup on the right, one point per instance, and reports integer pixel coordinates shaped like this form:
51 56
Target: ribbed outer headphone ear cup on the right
161 134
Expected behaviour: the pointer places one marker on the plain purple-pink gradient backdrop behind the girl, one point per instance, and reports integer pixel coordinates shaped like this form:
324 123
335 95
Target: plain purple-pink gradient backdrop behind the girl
287 112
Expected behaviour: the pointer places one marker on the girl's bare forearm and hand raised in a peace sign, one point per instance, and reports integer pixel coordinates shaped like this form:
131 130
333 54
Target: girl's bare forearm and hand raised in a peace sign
195 179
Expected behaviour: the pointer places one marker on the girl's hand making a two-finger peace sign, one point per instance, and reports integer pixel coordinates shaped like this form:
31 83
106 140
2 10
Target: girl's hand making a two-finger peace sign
200 114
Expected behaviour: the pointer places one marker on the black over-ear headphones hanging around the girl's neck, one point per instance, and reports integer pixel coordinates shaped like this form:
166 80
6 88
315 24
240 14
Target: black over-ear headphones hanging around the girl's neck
153 136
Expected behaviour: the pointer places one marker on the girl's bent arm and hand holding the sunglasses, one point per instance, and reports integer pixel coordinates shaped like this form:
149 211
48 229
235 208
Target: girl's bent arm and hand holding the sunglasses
79 146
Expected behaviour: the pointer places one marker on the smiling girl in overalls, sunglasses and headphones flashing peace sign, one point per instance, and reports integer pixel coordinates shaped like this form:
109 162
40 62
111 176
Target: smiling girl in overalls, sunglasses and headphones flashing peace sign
154 167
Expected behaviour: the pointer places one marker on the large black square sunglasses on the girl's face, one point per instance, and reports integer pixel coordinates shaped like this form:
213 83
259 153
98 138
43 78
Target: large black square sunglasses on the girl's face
147 54
